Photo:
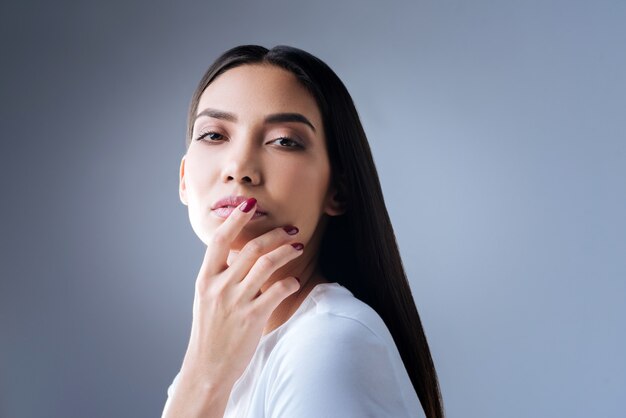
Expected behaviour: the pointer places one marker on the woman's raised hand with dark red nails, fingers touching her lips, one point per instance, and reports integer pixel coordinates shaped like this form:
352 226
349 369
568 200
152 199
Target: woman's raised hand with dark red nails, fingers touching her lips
229 309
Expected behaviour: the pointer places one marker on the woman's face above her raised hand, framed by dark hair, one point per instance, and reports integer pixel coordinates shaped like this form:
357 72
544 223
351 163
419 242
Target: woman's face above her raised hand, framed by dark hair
262 137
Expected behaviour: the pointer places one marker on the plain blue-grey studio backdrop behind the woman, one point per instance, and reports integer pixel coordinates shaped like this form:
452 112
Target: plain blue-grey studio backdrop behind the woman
498 129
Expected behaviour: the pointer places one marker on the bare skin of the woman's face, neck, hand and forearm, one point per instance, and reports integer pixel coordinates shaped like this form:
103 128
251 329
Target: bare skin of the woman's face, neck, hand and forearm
246 285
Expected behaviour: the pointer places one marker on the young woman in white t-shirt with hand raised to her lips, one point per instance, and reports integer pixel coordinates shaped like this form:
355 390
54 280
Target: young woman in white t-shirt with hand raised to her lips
302 308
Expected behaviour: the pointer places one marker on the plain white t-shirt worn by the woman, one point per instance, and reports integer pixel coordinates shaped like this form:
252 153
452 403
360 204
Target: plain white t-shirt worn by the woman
334 357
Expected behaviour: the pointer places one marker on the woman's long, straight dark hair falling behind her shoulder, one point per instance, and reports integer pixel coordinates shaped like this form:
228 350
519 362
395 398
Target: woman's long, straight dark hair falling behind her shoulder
358 248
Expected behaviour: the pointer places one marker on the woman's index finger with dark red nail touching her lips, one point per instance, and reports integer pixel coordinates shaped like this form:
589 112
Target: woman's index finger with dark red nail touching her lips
217 251
